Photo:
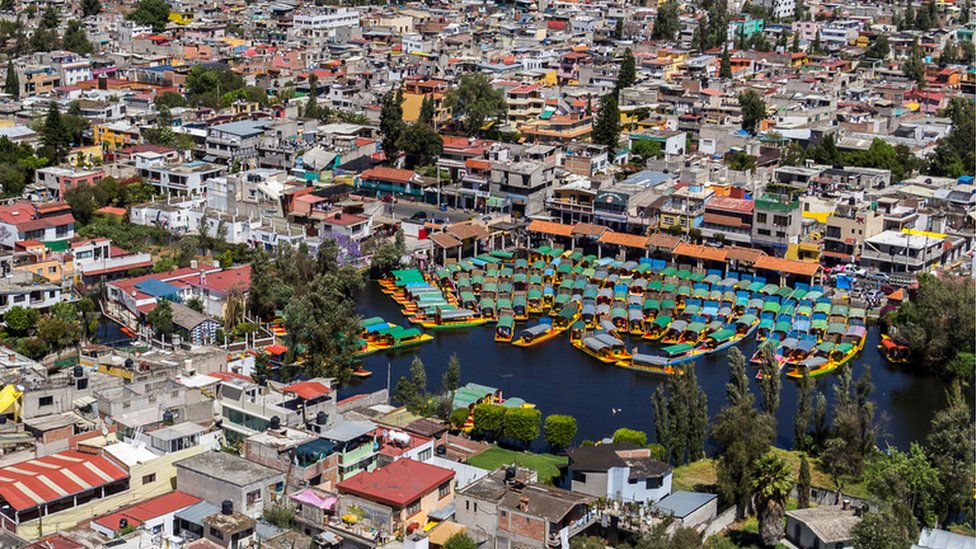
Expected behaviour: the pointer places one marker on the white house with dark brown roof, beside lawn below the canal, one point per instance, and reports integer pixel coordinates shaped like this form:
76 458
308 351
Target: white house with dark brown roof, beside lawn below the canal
622 472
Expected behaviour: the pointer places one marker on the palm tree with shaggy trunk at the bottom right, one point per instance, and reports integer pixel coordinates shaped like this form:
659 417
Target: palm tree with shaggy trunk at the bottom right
771 486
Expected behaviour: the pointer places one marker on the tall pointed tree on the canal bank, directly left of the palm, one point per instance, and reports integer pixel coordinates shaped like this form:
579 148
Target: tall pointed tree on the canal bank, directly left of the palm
742 436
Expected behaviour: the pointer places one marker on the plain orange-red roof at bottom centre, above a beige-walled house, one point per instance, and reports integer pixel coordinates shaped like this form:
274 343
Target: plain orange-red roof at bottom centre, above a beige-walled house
398 484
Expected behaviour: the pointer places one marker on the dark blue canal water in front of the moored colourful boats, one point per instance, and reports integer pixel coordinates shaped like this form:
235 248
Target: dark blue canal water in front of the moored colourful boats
559 379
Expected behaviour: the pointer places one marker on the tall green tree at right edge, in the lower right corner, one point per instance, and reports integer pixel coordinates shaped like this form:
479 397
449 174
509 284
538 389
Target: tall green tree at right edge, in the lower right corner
950 446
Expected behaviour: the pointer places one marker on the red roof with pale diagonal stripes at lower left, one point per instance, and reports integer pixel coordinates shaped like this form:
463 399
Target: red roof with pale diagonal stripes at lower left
34 482
